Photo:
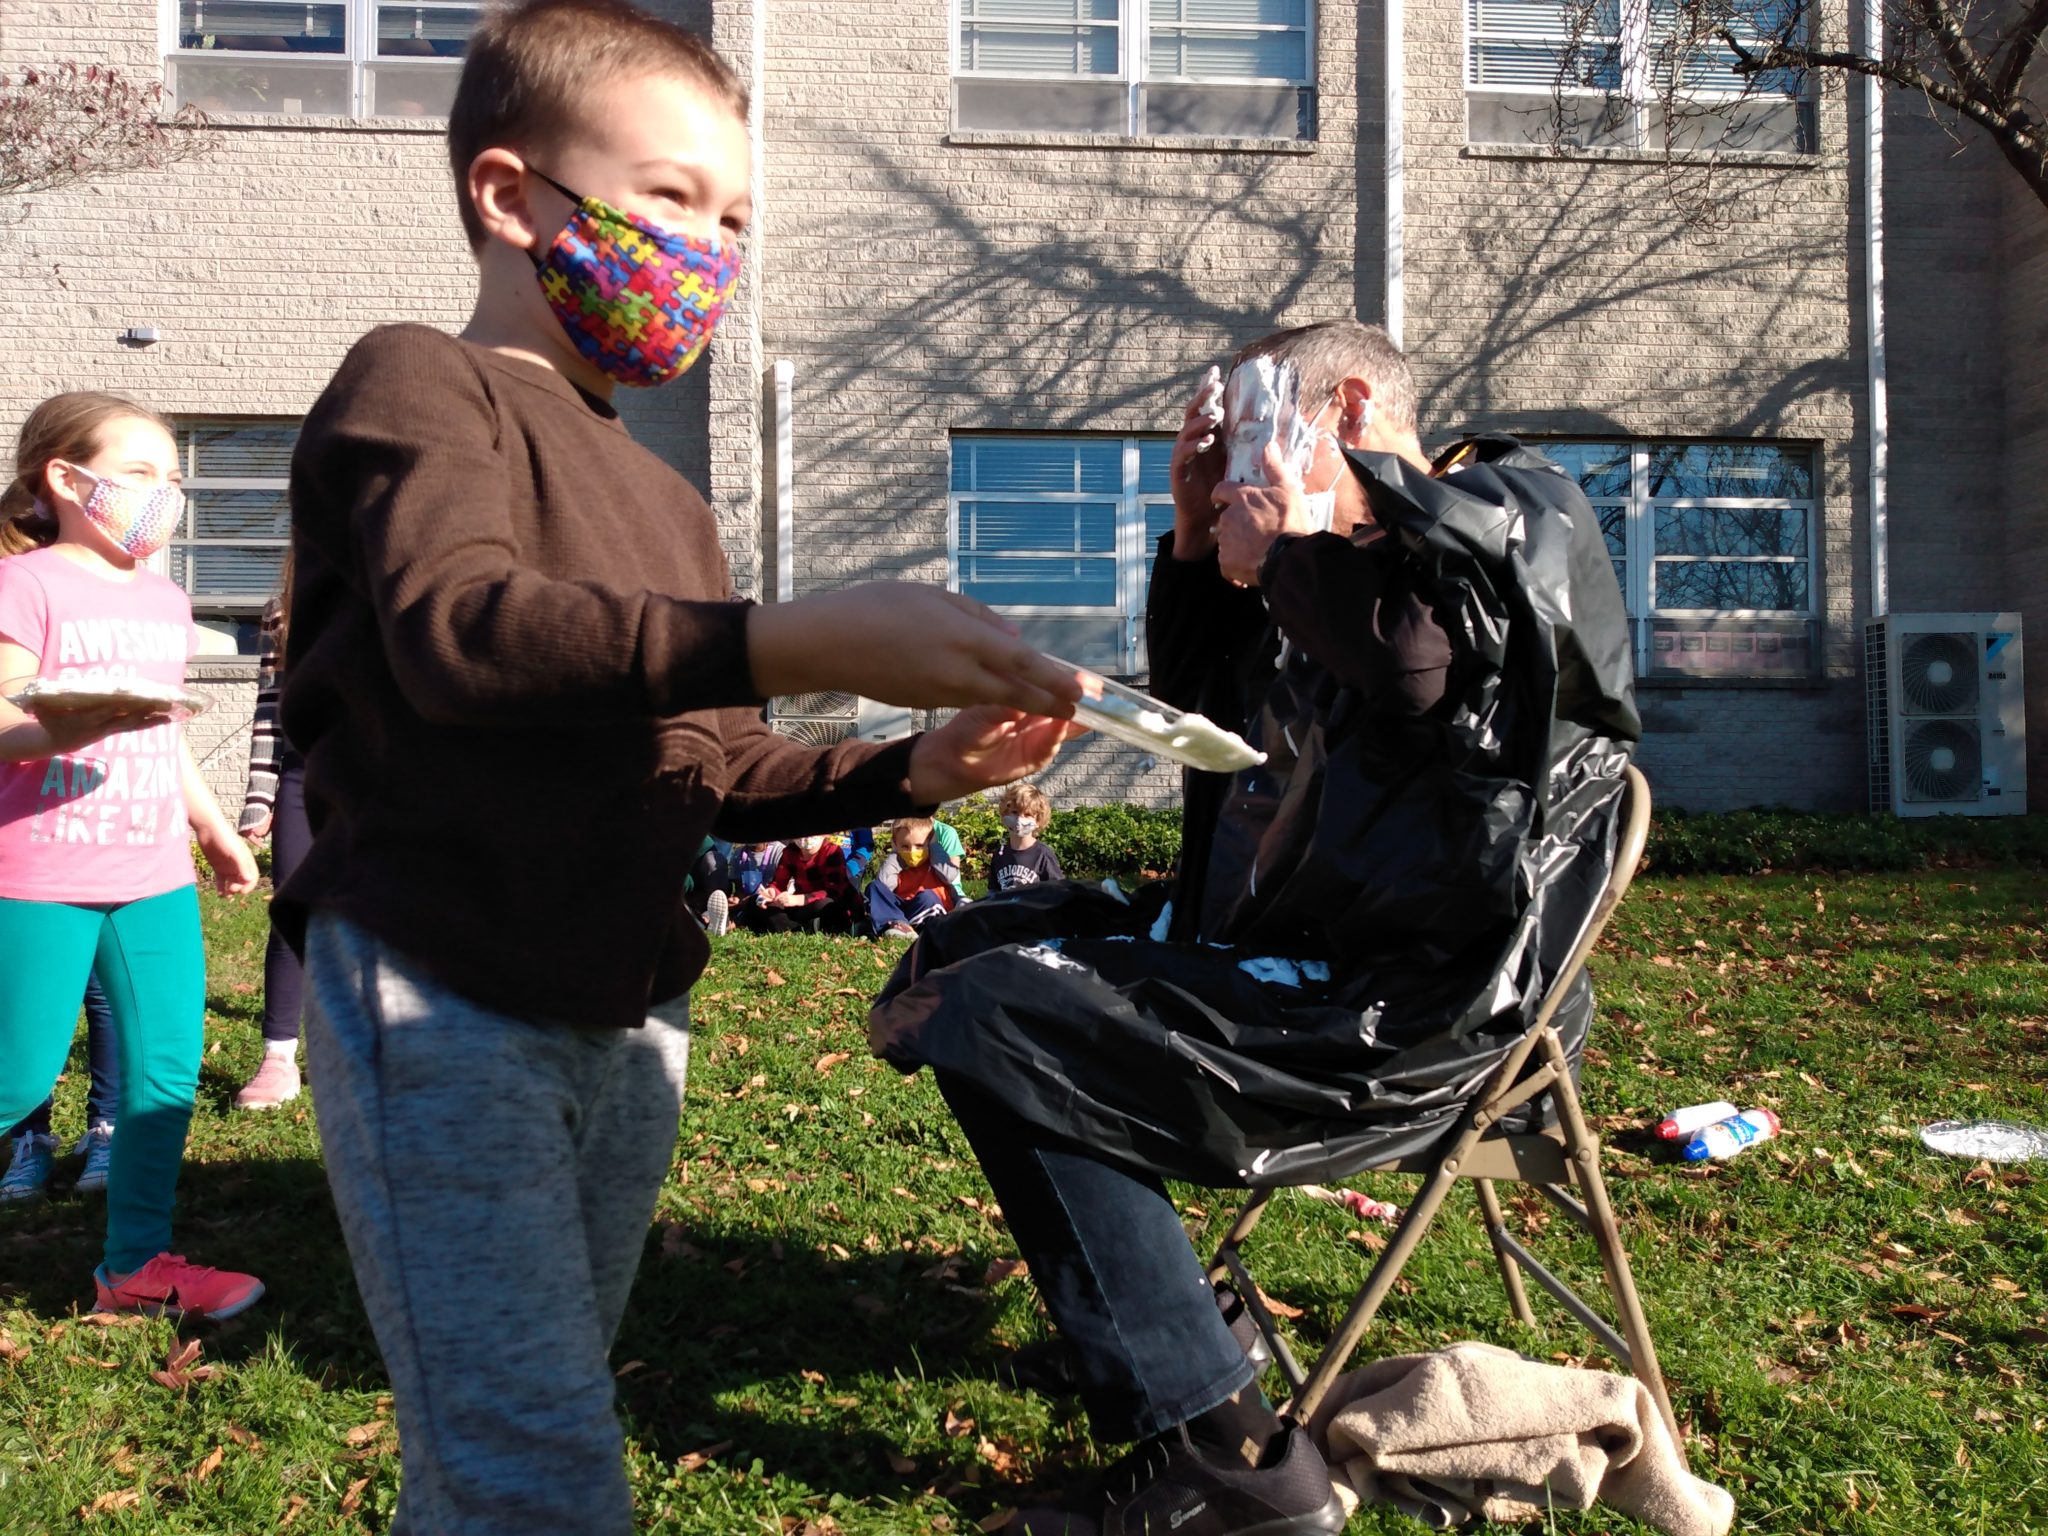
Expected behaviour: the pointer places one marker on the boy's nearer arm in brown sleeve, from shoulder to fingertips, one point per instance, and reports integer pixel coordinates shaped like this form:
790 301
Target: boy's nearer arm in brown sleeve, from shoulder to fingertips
400 488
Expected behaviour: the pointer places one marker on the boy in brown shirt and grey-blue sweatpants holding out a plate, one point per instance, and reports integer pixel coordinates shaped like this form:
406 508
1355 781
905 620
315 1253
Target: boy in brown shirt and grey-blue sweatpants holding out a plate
525 695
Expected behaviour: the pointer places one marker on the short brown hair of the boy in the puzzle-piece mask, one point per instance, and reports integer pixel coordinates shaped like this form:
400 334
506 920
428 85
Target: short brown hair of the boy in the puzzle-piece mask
531 69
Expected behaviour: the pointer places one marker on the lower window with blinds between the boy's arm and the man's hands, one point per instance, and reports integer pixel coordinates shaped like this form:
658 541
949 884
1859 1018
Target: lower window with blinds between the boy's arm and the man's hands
1060 536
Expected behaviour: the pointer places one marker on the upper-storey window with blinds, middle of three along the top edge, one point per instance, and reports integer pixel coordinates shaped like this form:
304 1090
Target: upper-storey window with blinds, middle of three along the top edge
1226 69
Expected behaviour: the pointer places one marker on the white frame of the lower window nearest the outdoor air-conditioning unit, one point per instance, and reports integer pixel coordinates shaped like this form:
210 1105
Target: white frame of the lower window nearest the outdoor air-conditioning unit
1641 556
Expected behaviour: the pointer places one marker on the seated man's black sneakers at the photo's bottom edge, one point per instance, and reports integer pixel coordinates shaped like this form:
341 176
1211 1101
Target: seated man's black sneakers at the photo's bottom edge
1166 1488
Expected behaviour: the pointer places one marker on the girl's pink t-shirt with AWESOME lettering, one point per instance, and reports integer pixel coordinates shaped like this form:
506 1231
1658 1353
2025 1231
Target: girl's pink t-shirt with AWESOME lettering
108 822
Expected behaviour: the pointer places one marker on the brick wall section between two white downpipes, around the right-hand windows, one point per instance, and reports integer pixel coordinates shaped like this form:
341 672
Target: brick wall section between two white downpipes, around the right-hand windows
1566 296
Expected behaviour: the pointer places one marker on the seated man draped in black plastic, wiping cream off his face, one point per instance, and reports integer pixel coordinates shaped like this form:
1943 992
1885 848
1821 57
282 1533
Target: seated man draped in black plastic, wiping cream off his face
1437 665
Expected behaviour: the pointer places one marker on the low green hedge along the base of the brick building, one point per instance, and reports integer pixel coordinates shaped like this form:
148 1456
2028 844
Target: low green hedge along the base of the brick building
1127 841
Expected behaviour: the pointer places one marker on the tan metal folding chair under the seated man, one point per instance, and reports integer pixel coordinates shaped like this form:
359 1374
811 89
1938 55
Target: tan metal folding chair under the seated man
1478 1150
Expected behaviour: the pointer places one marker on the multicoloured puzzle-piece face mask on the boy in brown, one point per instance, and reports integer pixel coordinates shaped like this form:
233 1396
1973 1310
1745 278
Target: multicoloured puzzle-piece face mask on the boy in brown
640 302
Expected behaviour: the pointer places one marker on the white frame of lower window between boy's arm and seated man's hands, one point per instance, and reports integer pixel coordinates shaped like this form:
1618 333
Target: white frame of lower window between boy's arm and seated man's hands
1132 548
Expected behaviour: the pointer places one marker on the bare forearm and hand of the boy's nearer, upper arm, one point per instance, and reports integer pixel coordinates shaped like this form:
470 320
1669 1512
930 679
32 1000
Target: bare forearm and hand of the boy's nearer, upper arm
902 646
